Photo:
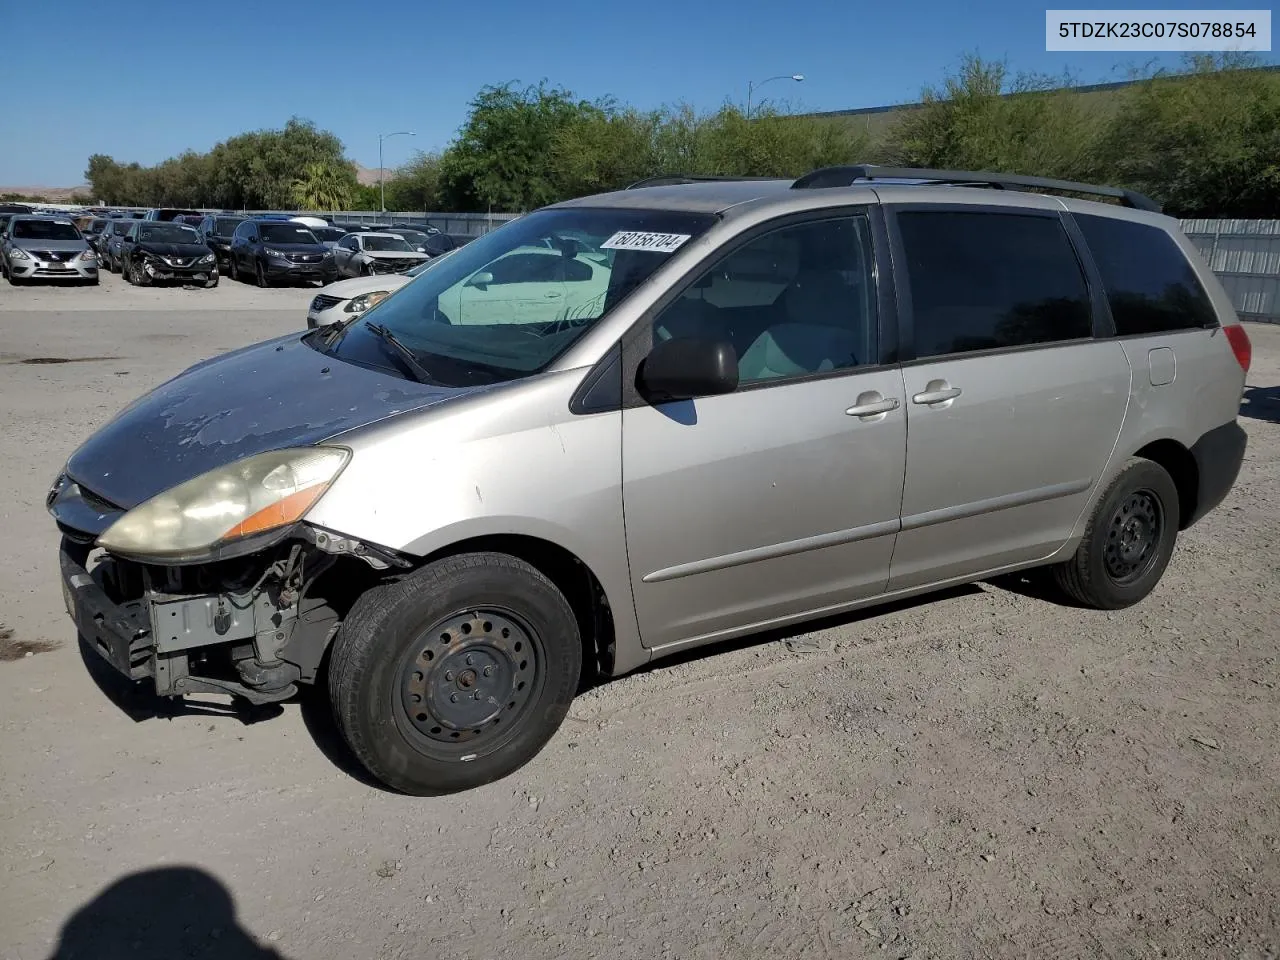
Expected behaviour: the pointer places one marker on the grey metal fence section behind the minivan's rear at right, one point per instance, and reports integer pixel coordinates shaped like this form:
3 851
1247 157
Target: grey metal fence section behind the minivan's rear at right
1246 257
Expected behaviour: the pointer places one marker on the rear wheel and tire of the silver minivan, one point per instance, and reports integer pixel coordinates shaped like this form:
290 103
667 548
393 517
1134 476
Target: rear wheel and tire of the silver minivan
1128 542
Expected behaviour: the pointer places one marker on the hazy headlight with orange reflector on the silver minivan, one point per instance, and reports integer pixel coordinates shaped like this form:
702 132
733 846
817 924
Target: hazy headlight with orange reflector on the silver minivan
252 496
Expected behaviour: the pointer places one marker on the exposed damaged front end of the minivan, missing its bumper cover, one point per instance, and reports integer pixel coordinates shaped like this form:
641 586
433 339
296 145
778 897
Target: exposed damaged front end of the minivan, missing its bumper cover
254 625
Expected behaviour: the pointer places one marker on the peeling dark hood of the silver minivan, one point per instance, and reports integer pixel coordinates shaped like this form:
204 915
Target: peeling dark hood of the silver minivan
273 395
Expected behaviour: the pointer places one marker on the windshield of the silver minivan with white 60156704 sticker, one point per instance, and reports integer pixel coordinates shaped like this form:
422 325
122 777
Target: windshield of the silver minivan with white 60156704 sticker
510 303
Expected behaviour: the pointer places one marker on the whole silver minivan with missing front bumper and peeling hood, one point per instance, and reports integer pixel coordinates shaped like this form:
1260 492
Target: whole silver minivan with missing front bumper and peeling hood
644 422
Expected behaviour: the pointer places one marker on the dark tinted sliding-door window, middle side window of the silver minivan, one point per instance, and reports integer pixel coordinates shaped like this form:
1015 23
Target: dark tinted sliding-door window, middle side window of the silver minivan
990 281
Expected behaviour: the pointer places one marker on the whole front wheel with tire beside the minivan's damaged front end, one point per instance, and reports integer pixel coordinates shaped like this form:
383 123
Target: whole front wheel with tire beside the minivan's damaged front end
433 636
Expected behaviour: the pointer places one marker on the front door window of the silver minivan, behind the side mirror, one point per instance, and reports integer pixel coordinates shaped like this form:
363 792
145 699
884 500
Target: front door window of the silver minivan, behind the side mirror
794 303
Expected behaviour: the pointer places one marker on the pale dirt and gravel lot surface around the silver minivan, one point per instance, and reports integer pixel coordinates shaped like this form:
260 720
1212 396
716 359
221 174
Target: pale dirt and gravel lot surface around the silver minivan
982 774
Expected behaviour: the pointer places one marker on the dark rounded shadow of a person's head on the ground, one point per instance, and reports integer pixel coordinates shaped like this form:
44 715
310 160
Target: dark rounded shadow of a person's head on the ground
161 915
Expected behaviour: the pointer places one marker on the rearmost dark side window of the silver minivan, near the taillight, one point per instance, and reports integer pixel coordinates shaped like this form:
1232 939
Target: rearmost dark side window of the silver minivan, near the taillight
1150 285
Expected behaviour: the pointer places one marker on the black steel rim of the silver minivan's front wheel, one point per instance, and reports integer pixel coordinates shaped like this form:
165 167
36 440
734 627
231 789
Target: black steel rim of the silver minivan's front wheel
467 683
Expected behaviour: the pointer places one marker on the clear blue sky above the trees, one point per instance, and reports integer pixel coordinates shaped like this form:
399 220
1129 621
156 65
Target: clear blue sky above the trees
191 74
